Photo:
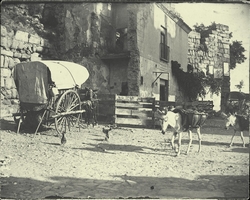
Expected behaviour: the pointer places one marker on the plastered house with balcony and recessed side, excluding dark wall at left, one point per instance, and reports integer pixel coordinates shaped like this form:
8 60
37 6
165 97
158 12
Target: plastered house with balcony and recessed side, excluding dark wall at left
146 38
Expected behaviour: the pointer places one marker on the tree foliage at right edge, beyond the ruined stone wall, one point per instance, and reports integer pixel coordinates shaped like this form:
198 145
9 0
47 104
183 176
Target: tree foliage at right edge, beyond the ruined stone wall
236 54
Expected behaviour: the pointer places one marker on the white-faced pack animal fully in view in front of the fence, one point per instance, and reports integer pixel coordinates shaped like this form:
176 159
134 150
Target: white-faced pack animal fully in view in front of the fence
181 121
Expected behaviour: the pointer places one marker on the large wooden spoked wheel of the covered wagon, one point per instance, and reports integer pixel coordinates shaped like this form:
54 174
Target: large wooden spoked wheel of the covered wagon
68 102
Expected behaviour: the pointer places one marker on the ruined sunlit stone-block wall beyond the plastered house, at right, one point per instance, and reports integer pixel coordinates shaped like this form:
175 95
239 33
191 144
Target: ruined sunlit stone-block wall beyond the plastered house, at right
213 57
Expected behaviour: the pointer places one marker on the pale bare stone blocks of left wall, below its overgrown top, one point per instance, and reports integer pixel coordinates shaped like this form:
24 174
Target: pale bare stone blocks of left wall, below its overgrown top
17 46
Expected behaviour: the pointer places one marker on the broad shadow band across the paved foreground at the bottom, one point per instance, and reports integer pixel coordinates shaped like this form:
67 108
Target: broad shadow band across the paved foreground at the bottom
126 187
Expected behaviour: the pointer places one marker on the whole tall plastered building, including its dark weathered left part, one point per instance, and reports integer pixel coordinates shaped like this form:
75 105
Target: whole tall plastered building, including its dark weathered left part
129 46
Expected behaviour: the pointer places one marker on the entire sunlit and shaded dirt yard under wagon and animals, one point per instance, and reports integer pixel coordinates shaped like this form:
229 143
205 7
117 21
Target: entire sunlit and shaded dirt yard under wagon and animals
134 163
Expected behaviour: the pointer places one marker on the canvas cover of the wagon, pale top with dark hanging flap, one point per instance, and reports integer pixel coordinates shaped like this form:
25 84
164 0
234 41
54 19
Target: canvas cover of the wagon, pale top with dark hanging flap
32 78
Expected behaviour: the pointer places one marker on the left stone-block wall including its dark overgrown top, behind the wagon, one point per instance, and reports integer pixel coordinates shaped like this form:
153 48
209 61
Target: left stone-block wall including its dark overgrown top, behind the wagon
22 39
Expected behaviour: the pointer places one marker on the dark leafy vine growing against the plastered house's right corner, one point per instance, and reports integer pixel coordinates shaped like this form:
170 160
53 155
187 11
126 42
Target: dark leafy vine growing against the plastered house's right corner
195 84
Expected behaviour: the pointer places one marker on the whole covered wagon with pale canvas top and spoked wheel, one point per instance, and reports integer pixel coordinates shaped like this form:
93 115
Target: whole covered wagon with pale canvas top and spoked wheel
48 93
